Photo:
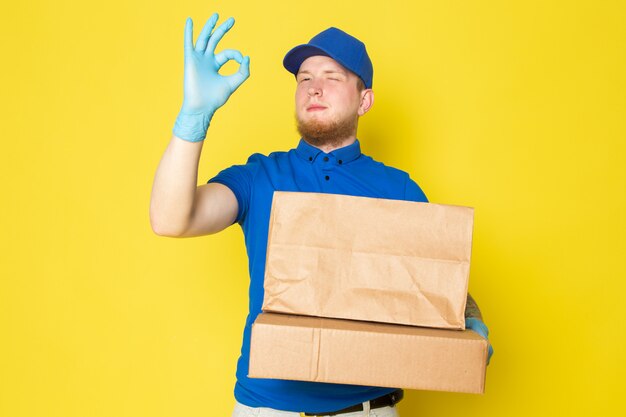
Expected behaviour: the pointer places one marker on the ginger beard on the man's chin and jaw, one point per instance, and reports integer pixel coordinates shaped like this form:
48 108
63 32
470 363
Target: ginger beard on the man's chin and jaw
322 133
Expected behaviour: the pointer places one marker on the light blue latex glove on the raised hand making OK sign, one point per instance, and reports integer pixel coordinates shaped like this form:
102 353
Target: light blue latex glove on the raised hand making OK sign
205 89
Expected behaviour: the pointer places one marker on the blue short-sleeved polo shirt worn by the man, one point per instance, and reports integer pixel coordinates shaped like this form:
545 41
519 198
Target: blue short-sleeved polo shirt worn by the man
305 169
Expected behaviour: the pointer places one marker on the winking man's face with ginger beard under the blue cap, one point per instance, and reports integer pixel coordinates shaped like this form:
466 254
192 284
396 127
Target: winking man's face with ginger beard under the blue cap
328 102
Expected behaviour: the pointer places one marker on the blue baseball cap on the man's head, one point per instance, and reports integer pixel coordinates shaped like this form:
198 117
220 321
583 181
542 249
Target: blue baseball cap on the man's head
337 44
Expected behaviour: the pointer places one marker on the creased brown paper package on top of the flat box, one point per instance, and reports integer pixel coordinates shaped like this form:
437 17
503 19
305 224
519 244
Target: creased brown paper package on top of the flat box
368 259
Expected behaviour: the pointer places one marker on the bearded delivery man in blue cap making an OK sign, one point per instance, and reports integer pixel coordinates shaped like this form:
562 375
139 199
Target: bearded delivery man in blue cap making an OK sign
334 88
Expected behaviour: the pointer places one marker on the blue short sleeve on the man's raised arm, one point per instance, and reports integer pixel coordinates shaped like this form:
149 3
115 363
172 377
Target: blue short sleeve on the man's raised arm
240 178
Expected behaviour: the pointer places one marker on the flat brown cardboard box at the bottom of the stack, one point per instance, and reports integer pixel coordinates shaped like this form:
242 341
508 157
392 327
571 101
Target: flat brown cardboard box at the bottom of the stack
351 352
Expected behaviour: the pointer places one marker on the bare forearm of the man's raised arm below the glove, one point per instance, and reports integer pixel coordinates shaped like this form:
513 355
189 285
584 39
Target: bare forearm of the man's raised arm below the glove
174 187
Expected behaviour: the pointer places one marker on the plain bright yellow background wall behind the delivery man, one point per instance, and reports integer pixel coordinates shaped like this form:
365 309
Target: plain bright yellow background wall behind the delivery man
514 108
